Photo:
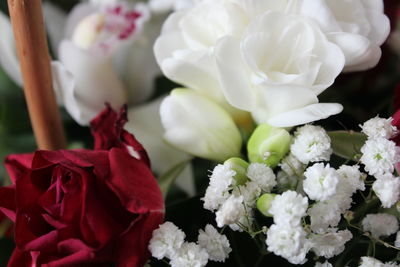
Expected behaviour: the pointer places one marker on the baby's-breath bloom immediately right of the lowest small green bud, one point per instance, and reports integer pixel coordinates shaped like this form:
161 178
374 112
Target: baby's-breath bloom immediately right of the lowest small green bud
289 208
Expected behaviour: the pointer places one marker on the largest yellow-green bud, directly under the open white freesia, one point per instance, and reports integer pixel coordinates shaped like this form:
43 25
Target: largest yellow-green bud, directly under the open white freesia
268 145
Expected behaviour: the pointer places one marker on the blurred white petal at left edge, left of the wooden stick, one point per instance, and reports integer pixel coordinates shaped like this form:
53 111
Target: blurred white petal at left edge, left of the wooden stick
8 56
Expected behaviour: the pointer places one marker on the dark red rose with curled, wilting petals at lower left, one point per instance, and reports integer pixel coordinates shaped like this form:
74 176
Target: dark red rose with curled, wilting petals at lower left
83 207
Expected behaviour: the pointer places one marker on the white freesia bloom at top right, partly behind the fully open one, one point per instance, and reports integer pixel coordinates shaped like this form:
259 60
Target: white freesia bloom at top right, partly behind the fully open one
358 27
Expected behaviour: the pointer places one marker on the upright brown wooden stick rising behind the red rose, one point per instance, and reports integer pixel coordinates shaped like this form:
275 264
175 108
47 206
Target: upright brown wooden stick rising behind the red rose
29 32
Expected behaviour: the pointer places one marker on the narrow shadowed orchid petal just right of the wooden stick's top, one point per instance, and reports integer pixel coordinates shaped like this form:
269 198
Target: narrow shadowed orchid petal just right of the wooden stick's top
55 20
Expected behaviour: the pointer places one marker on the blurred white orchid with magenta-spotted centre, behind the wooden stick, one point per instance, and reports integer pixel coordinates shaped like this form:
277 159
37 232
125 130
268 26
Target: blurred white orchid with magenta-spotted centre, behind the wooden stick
87 75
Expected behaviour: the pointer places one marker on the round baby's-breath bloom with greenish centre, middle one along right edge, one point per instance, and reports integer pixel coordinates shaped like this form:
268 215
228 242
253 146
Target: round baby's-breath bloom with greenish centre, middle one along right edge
379 156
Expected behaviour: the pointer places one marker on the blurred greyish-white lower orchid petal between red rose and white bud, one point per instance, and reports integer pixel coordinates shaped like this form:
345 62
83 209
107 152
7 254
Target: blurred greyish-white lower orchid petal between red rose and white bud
145 123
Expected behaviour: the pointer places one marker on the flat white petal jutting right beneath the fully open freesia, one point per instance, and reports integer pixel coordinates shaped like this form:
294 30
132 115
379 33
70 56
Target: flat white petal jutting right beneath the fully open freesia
306 115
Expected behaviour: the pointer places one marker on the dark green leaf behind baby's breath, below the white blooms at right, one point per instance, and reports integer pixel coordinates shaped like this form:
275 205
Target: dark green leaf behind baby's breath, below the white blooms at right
347 144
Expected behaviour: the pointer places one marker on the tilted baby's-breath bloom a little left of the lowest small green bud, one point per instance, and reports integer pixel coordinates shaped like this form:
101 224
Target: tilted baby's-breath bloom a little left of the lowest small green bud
230 212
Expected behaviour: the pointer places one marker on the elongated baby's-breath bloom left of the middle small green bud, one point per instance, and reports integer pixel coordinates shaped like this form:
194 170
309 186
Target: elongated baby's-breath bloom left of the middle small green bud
217 193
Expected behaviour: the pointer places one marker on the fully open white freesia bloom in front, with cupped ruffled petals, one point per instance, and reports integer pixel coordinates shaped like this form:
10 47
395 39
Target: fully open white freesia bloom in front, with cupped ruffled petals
278 68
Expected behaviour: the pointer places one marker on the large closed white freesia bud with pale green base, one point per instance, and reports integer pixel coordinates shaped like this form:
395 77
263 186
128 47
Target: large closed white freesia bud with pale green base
196 125
